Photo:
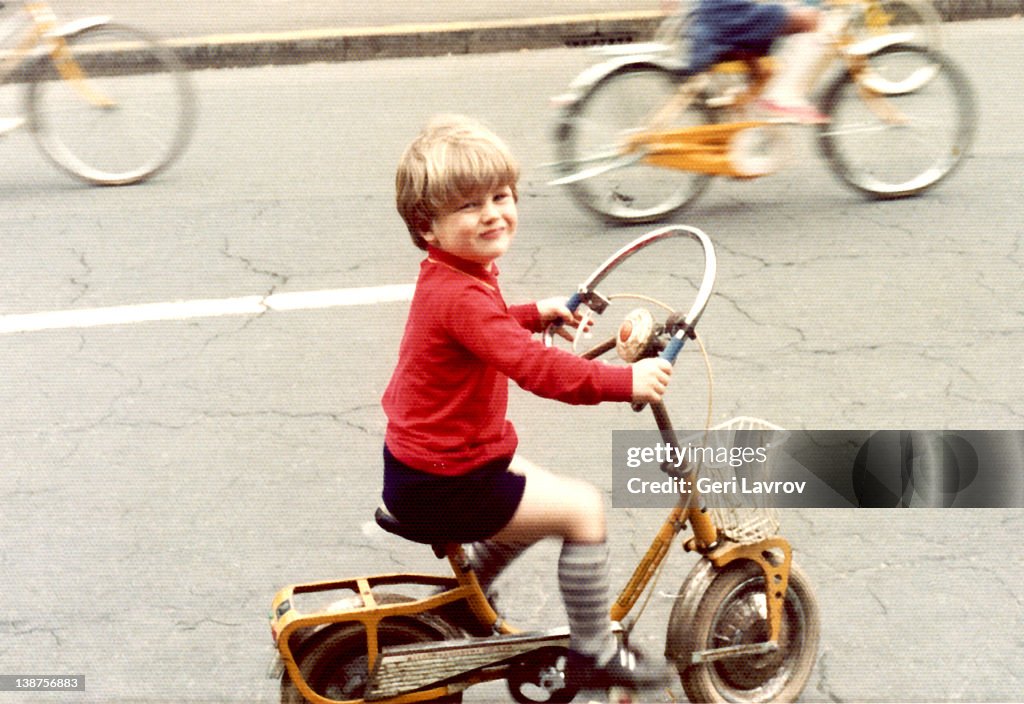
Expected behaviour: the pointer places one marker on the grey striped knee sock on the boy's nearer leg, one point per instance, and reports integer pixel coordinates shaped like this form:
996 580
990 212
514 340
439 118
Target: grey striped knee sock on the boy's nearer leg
583 579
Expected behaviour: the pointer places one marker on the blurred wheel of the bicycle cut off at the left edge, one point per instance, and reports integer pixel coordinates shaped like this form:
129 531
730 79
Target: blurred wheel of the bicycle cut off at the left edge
145 127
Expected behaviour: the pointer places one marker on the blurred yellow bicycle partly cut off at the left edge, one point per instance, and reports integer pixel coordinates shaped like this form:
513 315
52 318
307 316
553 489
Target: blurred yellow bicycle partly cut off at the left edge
106 103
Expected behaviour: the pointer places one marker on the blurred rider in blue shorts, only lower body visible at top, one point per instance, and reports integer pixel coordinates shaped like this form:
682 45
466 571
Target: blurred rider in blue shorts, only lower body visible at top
749 28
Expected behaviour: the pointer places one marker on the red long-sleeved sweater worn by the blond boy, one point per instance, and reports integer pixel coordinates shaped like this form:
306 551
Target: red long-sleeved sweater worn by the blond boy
447 401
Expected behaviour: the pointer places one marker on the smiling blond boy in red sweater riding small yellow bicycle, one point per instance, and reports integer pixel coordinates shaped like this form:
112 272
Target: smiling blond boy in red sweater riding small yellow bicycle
450 461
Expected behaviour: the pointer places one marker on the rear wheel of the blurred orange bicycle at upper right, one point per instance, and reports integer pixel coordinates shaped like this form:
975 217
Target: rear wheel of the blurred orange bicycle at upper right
592 131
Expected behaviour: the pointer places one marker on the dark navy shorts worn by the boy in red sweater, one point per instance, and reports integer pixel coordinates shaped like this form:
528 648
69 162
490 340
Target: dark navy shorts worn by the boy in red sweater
462 509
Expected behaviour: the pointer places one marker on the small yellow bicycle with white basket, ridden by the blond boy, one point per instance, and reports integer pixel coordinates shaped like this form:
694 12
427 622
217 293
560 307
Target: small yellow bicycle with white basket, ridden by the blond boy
745 626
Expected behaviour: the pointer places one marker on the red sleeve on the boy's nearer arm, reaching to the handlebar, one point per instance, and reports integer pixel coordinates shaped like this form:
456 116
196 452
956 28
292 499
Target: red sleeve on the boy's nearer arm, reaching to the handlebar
481 323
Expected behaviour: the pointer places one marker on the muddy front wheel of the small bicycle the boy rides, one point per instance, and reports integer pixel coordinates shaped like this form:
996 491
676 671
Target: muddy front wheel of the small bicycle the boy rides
731 612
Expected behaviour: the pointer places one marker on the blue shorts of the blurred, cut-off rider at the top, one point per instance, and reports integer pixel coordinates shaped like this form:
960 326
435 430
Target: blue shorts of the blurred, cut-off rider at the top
723 27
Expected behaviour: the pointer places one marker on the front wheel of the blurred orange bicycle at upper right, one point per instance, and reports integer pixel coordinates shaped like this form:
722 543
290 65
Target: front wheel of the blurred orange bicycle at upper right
894 145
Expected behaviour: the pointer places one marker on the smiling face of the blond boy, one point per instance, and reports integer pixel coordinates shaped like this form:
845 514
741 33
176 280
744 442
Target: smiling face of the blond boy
480 230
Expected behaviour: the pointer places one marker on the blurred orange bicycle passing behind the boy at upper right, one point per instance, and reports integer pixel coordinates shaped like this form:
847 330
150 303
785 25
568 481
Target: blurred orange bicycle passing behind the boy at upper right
639 138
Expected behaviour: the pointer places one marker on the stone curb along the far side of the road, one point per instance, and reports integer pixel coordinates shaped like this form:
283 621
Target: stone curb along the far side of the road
466 38
